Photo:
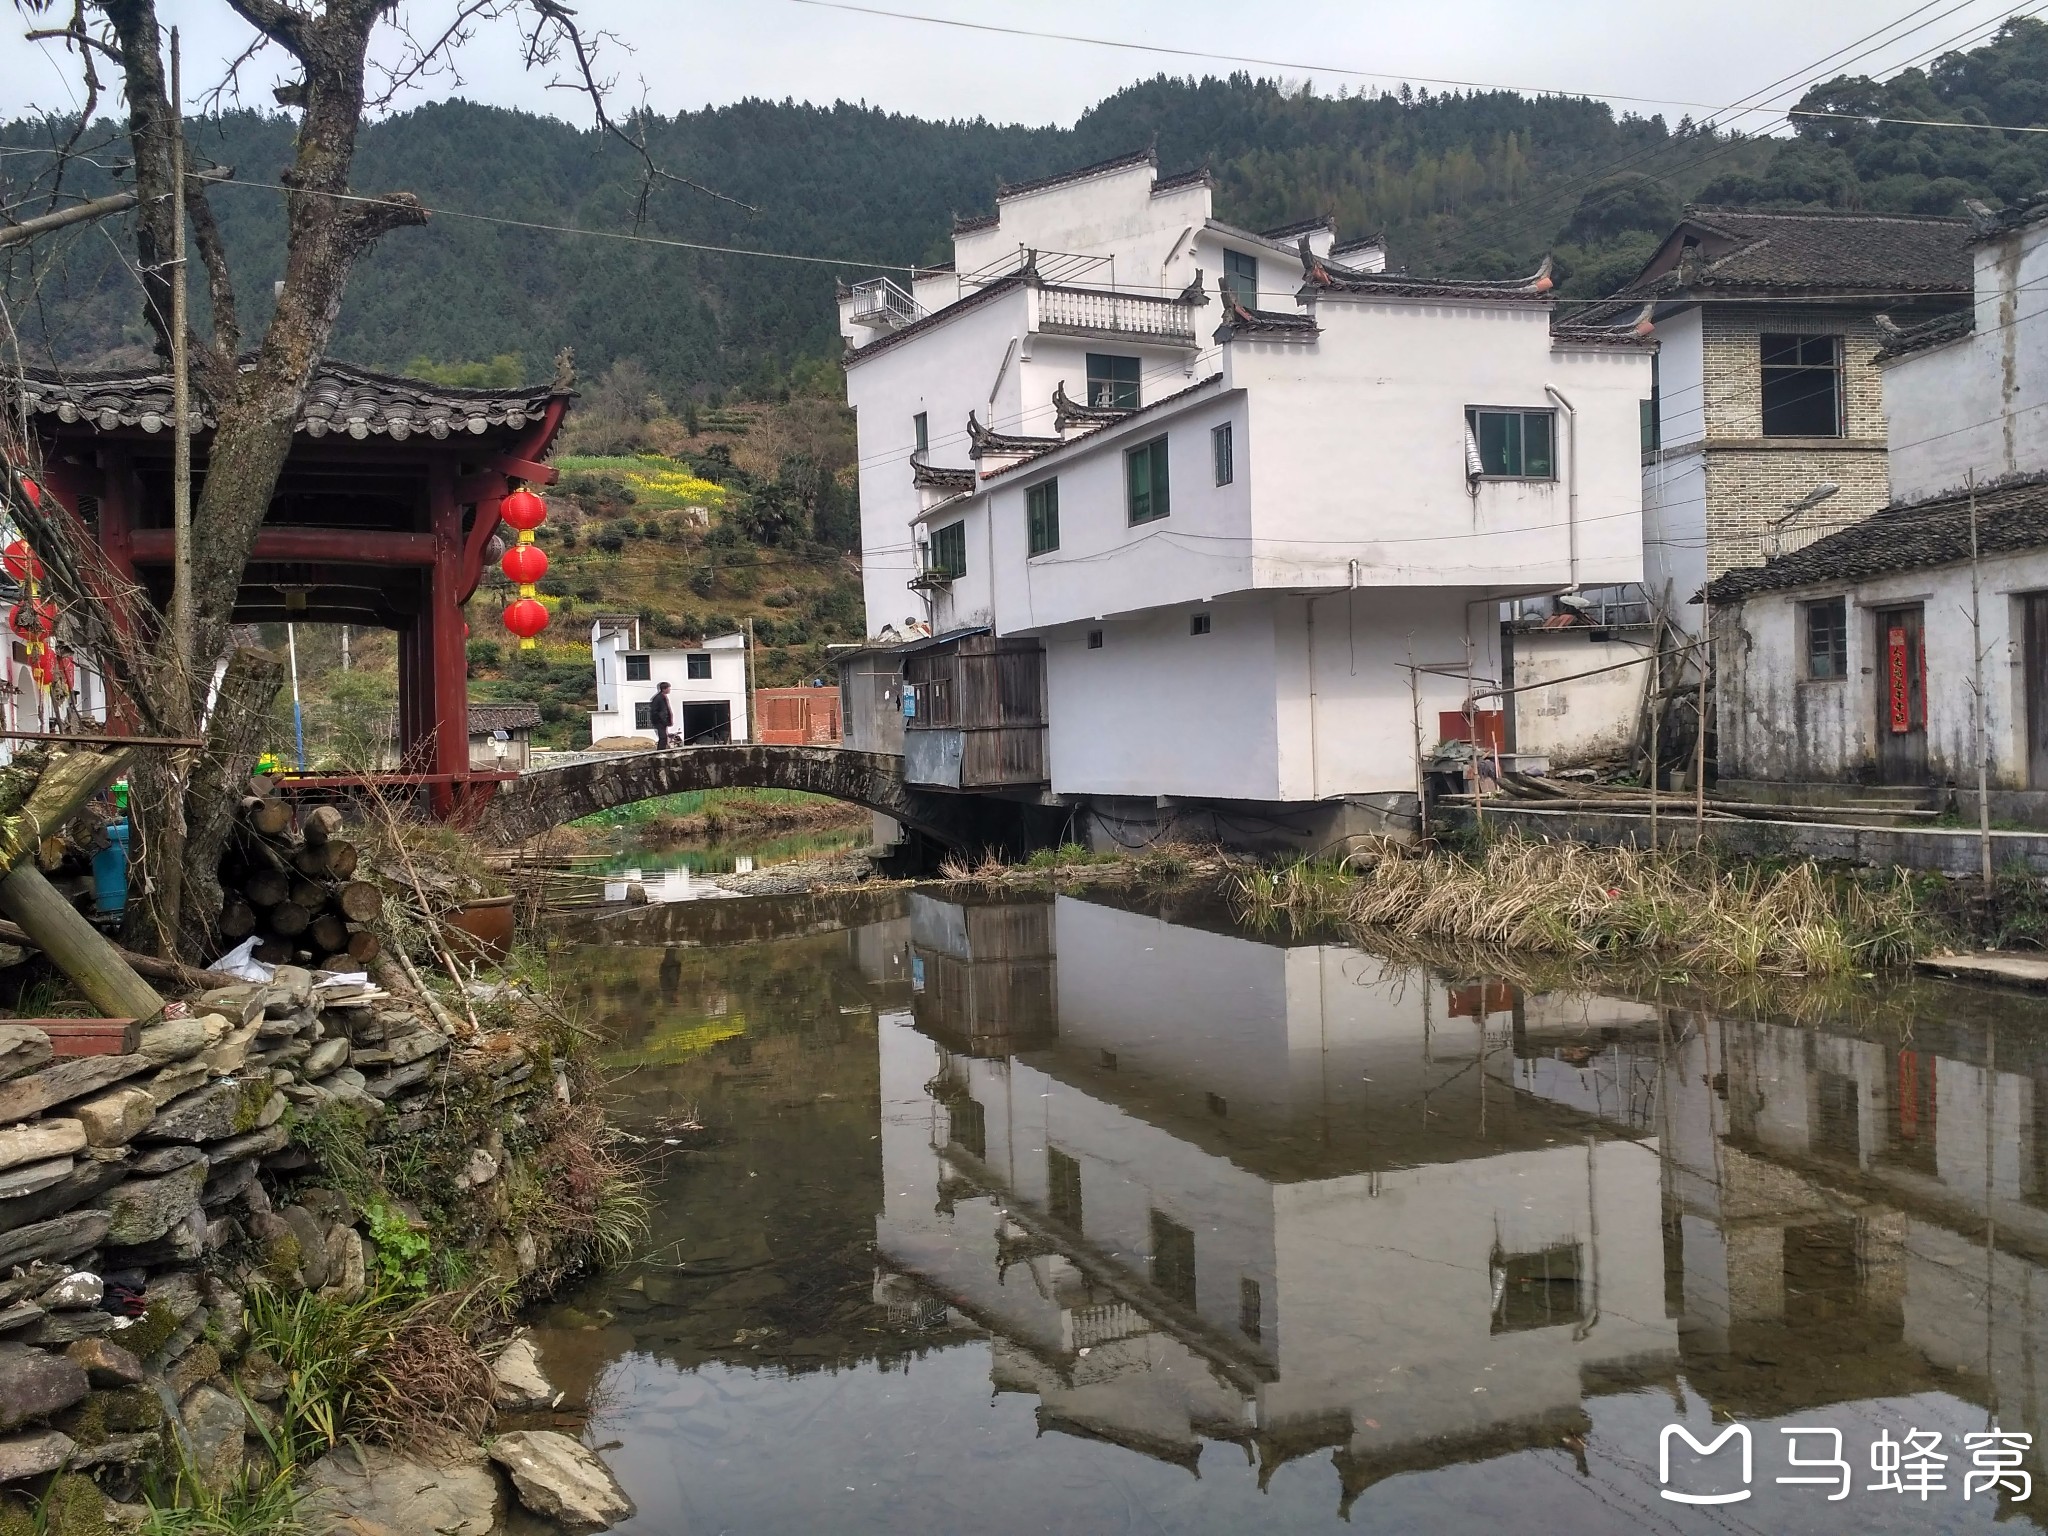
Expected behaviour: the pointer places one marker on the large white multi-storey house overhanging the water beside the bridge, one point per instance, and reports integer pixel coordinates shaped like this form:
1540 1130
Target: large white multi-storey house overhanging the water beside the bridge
1213 525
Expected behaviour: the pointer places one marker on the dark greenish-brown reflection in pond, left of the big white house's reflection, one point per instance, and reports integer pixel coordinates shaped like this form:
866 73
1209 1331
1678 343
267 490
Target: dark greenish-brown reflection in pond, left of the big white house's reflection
763 1246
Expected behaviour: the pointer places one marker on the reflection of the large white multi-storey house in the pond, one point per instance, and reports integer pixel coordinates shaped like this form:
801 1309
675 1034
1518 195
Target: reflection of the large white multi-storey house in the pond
1234 1189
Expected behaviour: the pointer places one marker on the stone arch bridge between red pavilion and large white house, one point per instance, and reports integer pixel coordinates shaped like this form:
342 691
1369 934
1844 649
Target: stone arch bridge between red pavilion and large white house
550 798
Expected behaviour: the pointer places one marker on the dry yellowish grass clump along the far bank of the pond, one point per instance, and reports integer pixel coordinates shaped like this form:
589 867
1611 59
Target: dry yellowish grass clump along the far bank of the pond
1558 898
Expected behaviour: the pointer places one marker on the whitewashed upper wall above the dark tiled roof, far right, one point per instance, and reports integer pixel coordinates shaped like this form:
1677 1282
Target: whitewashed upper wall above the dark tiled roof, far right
1979 402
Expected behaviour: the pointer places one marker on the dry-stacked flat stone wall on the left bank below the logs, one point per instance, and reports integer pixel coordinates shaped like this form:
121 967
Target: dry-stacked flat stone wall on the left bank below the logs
126 1183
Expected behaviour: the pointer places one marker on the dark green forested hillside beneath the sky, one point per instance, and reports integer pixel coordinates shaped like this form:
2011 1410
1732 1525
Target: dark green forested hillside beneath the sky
1480 183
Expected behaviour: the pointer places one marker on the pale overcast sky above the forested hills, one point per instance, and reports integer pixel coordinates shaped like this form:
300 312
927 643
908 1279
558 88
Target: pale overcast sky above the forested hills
687 54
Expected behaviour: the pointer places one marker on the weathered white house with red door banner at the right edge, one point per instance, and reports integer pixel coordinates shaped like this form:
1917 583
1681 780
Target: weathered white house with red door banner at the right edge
1852 660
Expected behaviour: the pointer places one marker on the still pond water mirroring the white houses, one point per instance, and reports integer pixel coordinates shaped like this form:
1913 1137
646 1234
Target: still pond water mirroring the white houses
1107 1215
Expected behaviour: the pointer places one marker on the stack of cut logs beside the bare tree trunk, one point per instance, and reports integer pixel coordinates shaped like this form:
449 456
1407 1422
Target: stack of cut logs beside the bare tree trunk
298 890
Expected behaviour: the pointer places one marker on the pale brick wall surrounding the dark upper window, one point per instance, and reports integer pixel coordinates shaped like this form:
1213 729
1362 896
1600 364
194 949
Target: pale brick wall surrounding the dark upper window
1752 480
